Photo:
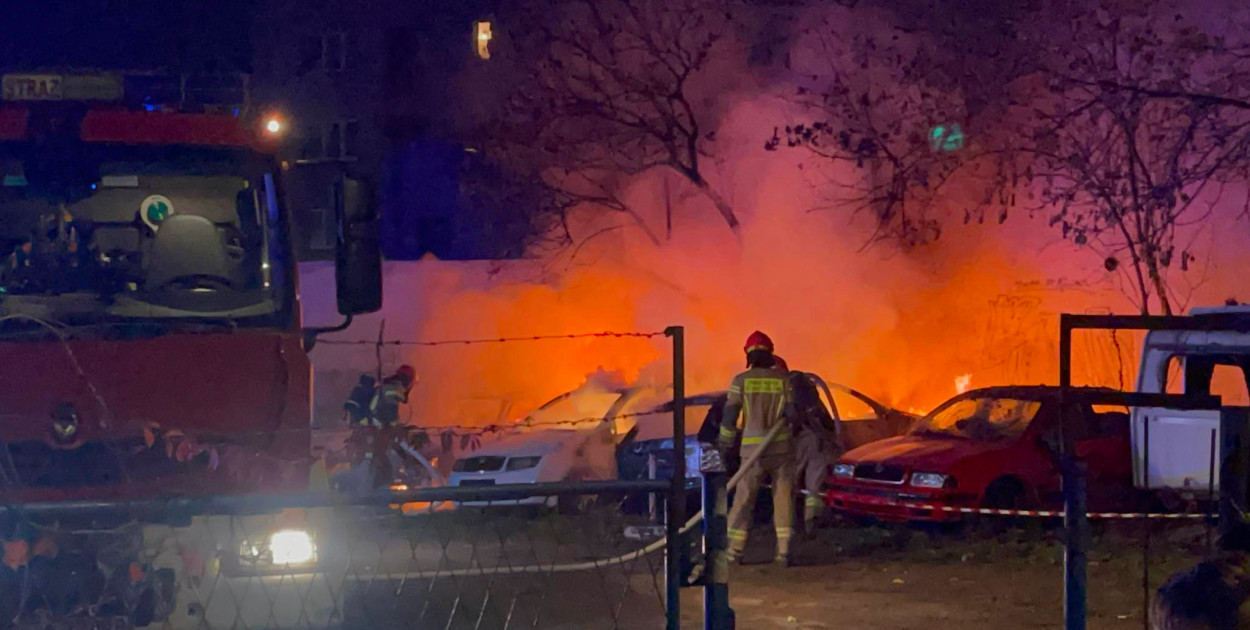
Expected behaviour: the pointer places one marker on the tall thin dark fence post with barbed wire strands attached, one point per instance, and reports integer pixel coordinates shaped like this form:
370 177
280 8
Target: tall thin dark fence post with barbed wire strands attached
677 512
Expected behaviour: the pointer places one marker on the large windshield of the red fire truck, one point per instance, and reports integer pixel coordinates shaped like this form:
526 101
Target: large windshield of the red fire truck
123 234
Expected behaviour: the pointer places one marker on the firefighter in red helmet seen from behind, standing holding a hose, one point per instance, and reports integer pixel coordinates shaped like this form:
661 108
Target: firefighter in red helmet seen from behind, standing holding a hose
761 397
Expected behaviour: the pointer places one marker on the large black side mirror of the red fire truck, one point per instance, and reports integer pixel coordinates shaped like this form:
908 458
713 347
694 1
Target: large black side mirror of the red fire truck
358 264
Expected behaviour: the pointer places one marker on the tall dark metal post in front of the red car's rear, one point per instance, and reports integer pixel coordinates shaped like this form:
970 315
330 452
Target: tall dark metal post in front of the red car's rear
1076 526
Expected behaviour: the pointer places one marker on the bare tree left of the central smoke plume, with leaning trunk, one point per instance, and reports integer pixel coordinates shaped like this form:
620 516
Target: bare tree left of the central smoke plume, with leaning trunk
611 92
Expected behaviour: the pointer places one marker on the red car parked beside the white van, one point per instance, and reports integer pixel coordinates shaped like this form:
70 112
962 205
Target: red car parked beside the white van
988 448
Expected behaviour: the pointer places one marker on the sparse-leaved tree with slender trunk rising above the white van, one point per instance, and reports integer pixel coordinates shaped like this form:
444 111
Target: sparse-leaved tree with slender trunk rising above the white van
1126 144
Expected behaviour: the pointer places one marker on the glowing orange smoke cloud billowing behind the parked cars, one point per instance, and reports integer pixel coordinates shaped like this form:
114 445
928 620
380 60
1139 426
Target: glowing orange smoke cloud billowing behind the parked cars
981 306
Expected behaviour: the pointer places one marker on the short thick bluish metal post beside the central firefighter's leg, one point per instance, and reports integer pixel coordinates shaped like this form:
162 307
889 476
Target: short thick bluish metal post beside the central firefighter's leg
717 613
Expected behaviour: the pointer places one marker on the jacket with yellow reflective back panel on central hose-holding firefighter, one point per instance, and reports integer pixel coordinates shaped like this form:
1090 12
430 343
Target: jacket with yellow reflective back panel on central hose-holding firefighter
762 398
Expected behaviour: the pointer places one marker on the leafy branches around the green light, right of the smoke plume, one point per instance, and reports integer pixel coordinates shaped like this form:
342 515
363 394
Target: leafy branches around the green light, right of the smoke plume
877 101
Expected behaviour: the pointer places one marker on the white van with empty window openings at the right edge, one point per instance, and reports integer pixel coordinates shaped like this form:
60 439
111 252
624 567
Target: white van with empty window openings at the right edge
1181 444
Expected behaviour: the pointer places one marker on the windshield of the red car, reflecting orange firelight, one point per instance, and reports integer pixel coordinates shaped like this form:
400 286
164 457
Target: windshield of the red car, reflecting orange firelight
981 419
